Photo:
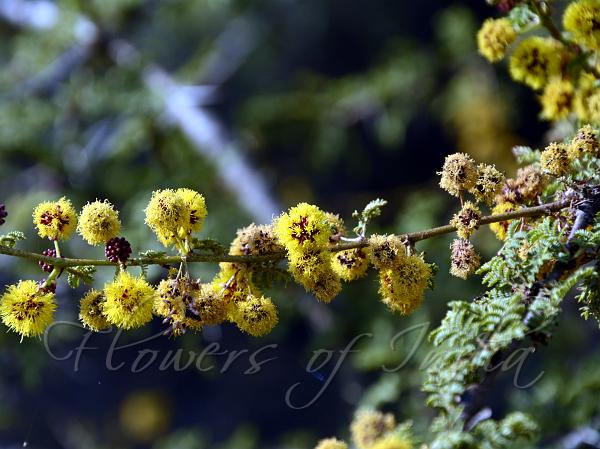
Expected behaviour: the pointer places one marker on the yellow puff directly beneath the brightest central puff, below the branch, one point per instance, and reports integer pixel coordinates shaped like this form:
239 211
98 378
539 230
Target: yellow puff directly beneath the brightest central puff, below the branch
313 271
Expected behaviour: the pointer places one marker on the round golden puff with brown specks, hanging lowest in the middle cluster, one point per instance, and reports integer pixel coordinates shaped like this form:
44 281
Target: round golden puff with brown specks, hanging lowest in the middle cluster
256 315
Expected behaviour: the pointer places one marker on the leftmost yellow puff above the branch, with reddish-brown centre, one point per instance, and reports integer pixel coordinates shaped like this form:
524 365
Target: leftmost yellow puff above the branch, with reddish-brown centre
55 220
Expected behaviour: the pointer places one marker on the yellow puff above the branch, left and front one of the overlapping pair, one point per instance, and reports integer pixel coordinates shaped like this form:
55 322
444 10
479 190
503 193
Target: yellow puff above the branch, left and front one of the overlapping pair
166 214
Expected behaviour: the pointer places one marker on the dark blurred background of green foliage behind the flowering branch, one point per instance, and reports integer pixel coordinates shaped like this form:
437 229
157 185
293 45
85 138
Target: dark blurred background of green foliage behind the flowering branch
258 105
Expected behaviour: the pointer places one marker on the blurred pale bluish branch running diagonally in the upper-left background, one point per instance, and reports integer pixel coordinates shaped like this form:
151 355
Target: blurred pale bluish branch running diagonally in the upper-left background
182 104
